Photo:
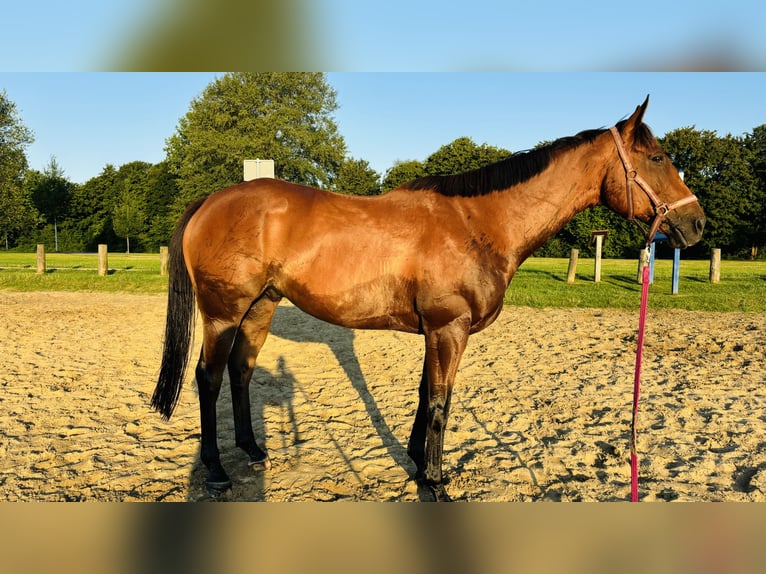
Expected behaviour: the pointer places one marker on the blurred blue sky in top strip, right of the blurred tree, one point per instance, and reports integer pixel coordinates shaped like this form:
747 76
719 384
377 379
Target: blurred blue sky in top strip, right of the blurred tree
510 35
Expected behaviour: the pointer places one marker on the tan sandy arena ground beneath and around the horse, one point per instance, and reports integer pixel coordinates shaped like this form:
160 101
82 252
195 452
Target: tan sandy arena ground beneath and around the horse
541 408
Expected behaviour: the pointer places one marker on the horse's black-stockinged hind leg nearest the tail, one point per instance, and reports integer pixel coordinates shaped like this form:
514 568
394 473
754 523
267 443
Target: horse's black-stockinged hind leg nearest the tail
209 375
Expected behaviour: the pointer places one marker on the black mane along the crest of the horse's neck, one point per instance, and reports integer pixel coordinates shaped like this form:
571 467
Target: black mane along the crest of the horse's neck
505 173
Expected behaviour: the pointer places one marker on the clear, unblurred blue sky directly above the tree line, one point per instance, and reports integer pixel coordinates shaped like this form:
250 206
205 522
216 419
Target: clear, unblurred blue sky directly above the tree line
87 120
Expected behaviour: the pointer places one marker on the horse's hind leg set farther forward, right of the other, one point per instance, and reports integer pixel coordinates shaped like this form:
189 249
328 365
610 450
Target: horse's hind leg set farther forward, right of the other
247 344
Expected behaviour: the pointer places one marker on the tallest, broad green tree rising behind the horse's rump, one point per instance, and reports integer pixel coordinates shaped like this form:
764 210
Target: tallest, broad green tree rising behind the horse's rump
286 117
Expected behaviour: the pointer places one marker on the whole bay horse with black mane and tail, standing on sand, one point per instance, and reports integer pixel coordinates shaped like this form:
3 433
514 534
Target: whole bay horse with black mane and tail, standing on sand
433 256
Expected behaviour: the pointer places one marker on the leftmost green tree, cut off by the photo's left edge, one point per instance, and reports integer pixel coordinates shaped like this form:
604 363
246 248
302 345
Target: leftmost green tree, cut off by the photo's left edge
16 208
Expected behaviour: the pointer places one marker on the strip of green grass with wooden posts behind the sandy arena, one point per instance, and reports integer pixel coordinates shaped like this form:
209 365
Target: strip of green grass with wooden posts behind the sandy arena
539 282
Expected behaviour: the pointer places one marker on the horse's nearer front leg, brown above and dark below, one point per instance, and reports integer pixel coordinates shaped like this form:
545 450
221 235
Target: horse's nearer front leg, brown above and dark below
444 349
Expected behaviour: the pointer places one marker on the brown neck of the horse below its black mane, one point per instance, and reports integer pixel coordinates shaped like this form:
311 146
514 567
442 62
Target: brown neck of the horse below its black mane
535 210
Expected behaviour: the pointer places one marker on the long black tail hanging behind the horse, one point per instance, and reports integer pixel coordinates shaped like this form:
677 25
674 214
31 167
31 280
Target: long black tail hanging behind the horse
179 324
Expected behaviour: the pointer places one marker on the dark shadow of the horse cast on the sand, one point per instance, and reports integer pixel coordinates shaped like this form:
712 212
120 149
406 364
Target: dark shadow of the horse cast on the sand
292 324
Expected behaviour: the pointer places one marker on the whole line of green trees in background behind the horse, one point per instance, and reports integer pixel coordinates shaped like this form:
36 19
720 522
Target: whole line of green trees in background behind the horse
288 117
